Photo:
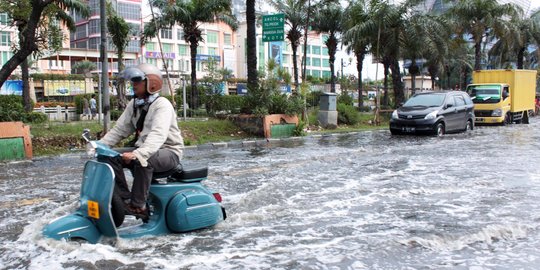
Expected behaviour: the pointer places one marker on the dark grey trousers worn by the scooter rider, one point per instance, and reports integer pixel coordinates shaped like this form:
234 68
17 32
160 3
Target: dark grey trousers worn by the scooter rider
163 160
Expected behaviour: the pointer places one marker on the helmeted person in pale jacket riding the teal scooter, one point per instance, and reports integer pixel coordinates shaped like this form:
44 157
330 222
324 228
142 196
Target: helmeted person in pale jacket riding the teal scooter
158 141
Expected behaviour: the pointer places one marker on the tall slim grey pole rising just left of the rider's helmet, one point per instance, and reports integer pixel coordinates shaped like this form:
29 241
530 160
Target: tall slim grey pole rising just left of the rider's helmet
104 67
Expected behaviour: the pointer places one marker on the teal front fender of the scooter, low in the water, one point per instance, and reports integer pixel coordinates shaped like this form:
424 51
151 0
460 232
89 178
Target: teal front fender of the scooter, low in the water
71 227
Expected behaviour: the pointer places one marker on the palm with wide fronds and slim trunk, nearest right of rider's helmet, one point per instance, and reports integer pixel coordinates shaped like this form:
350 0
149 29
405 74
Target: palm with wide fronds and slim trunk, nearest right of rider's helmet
190 15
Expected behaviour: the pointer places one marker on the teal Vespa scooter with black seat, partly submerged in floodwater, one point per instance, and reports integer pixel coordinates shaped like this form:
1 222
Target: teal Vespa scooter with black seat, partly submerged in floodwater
178 202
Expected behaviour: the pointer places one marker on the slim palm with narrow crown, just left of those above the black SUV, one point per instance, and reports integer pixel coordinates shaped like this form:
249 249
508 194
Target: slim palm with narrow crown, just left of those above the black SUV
356 14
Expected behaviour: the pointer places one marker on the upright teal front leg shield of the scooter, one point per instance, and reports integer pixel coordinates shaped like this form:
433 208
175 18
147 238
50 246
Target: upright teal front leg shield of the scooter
98 186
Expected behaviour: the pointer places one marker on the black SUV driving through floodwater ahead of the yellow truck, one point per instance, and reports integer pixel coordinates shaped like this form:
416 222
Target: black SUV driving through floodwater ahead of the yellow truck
434 112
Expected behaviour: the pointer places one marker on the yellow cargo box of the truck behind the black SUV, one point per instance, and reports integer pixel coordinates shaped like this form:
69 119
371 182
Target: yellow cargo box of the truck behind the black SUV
522 85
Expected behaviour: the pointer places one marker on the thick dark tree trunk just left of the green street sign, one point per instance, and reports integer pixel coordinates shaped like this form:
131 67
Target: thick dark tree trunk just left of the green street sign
253 80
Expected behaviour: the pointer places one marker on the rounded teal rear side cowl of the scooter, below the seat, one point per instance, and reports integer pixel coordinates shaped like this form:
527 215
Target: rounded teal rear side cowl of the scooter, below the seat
191 210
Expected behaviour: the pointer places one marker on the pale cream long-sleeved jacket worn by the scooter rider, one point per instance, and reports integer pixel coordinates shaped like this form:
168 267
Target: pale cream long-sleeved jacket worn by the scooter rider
160 130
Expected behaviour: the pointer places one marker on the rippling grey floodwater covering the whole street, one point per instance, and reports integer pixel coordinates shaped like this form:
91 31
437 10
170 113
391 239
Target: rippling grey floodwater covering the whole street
358 201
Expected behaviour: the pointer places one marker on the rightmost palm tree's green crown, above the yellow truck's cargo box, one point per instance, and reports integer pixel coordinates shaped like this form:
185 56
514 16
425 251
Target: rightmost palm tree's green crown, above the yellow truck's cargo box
524 31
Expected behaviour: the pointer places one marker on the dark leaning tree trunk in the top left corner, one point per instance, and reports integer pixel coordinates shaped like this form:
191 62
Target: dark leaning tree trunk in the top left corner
28 45
